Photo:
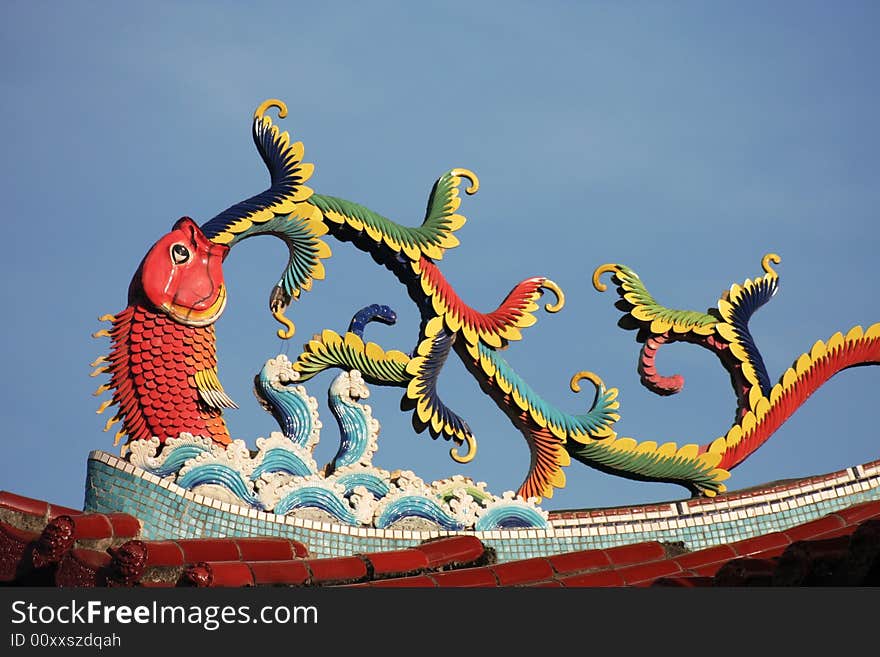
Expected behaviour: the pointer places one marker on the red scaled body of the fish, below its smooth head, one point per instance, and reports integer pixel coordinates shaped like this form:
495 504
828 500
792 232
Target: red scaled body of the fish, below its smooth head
153 365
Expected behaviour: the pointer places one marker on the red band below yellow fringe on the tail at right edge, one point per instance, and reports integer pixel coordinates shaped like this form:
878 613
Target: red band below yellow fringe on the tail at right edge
850 354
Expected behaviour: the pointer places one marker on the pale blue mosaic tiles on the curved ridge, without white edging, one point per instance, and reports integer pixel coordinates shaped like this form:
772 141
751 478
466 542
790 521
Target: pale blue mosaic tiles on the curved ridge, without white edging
166 515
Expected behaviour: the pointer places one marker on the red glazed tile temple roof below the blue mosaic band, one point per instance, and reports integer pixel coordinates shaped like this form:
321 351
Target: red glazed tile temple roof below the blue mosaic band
46 544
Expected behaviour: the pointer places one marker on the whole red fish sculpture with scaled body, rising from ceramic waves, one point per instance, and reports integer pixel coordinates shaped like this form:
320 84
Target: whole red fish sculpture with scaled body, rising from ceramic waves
163 363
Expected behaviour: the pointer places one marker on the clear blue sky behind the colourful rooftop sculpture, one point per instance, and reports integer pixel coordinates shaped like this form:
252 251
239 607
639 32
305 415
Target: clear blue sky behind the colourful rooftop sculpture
684 139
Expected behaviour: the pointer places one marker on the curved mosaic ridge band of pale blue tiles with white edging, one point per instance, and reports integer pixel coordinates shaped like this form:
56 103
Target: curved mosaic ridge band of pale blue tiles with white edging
171 512
